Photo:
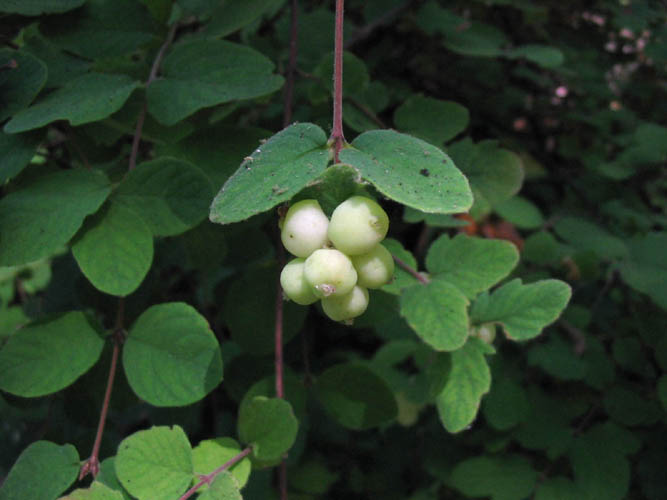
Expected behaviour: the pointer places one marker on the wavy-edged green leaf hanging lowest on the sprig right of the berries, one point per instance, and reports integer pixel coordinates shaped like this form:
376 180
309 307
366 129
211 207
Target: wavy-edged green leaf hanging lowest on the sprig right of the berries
469 379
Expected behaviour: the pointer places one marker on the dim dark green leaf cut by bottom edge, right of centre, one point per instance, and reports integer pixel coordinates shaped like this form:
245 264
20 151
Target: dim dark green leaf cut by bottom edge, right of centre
509 477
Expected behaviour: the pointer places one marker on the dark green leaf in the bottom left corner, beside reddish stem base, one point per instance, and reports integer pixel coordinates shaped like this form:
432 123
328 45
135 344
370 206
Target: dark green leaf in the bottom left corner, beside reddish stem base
58 468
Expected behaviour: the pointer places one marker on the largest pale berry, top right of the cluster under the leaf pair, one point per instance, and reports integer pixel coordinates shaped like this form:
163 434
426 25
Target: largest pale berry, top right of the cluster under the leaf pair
357 225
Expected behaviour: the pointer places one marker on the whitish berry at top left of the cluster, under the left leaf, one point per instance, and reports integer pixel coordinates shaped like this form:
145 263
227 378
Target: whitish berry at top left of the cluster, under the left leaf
304 229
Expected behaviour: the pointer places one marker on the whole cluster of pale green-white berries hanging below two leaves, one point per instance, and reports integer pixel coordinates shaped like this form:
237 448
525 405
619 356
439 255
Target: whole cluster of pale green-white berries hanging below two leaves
337 260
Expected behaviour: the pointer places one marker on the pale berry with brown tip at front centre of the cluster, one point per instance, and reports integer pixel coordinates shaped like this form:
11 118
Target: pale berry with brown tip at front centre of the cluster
329 272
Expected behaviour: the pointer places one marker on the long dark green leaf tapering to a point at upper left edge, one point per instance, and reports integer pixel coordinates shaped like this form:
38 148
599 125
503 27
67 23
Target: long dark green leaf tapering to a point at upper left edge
85 99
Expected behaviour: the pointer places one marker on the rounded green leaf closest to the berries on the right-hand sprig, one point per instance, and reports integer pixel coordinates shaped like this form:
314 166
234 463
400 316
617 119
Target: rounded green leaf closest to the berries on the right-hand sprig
438 313
